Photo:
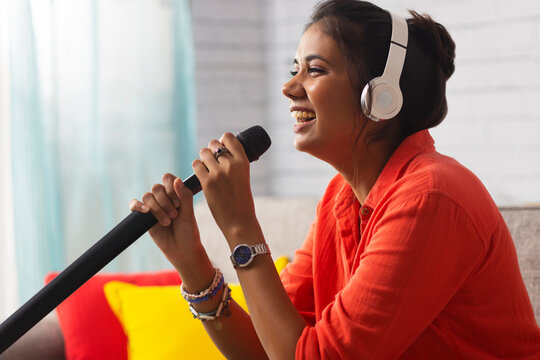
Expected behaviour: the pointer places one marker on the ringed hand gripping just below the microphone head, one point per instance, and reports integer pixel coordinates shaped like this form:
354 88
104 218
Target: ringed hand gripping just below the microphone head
226 186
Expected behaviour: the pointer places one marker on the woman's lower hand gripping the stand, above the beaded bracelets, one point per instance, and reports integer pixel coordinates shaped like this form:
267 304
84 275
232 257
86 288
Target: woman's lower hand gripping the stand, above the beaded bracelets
176 232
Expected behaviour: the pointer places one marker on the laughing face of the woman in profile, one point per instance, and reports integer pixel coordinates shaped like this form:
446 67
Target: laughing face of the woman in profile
322 101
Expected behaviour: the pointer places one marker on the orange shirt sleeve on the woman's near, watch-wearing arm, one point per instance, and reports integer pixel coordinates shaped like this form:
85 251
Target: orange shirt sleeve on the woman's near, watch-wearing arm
419 254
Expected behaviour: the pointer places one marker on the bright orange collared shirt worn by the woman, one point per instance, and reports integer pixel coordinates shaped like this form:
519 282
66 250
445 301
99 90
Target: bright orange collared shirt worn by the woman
425 269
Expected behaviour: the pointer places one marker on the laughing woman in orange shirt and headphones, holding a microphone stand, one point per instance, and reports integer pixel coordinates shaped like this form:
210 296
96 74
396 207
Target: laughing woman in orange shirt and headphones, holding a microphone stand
408 256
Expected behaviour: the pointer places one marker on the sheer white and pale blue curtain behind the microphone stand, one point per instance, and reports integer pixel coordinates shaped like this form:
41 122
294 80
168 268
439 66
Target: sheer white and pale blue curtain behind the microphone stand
102 106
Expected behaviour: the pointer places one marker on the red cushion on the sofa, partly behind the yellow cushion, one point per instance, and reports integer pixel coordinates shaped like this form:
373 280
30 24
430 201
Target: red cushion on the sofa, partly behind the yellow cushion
91 330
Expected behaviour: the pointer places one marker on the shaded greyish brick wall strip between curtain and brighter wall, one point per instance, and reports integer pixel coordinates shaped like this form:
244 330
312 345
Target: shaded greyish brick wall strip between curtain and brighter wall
230 72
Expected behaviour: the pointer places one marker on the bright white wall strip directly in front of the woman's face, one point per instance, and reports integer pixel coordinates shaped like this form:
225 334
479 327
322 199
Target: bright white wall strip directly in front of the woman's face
294 173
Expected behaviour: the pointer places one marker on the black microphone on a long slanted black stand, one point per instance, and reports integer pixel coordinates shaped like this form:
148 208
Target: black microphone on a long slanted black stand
255 142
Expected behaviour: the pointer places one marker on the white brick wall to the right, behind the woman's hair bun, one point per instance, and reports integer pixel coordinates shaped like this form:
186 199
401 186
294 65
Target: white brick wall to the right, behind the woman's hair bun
493 125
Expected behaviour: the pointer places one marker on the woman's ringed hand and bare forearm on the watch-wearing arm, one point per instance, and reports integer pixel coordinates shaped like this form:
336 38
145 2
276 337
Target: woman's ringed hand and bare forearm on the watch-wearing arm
225 183
